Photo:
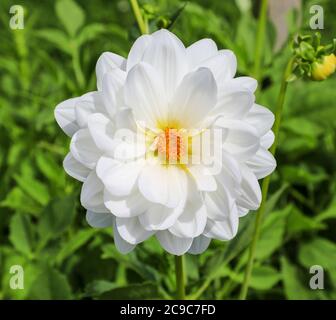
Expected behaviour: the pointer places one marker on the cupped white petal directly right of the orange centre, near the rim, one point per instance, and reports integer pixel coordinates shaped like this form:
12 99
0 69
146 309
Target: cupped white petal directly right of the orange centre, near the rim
242 140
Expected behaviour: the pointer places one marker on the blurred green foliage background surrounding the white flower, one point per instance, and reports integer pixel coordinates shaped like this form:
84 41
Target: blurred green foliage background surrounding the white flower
42 225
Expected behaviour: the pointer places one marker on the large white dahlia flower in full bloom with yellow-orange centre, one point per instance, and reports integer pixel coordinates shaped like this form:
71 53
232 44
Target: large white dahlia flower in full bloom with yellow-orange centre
171 144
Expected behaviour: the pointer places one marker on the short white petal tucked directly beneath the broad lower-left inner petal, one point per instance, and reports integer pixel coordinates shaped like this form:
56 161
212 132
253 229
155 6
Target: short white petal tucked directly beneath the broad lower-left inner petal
125 207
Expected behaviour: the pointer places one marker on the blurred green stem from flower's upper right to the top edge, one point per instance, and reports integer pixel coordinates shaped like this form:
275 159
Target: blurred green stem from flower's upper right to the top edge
260 39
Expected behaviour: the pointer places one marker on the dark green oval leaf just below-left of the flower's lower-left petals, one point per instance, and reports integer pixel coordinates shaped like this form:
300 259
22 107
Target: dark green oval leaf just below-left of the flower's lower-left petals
56 218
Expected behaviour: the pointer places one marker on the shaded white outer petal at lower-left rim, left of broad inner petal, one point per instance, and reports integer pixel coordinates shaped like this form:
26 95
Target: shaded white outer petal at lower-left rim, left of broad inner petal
92 197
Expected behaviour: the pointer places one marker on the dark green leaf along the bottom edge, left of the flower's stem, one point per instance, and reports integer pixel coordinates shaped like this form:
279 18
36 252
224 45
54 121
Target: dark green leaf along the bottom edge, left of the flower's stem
132 292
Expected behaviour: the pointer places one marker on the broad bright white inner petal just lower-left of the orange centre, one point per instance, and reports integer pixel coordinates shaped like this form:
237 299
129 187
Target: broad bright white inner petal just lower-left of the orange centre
118 177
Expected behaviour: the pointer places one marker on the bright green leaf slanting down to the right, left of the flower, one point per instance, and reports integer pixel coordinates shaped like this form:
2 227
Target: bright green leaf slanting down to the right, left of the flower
34 188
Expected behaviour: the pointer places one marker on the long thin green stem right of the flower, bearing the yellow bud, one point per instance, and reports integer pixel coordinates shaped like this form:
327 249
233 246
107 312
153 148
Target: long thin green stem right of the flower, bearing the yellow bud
265 183
